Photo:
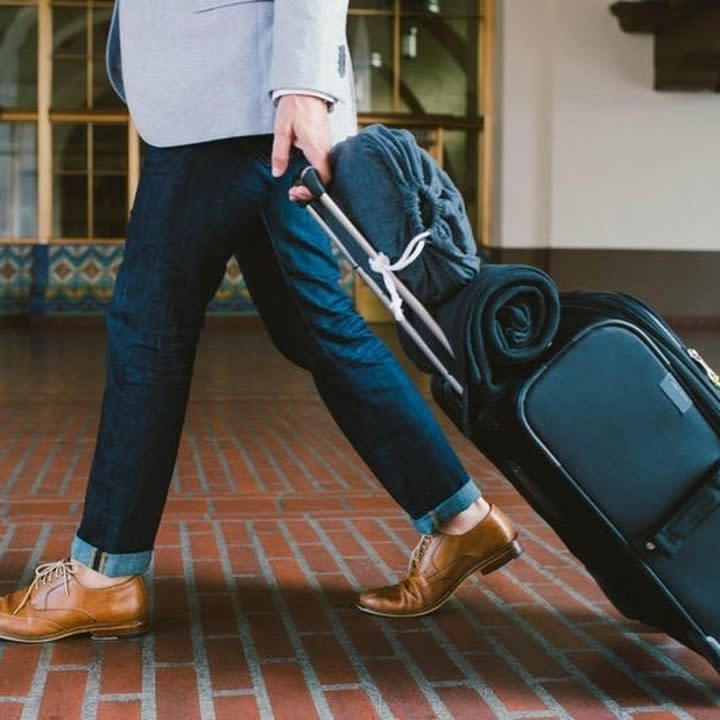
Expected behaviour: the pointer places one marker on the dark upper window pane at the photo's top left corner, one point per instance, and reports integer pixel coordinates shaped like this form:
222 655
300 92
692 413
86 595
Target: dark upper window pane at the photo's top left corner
18 57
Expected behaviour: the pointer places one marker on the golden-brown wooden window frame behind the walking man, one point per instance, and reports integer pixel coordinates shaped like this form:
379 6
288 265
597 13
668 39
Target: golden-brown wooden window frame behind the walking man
480 123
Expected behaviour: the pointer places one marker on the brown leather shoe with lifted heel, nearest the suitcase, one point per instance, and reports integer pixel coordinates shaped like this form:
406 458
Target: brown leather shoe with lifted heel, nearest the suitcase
440 563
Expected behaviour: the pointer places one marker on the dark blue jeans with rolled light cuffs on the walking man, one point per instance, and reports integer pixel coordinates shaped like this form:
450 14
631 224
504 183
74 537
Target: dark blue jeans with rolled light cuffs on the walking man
195 207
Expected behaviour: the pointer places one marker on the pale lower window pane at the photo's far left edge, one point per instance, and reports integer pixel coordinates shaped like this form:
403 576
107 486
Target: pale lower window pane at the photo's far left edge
18 180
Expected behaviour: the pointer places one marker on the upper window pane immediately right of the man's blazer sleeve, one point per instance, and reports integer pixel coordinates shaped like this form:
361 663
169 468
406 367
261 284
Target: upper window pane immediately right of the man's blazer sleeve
370 41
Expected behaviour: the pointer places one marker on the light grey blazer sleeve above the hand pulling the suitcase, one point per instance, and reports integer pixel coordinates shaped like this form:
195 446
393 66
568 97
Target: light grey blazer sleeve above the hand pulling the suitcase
309 46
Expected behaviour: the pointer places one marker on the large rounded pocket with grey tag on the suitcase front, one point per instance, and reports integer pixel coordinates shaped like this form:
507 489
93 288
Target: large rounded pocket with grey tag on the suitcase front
621 429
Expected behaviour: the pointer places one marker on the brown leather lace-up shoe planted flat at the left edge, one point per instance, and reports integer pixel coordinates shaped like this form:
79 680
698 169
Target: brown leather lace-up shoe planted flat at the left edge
56 605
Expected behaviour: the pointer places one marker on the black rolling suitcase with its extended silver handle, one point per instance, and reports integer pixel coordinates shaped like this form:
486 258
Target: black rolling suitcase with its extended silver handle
612 434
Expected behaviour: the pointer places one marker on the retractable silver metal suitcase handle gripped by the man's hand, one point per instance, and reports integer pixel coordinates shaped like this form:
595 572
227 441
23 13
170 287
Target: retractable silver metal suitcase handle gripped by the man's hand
310 179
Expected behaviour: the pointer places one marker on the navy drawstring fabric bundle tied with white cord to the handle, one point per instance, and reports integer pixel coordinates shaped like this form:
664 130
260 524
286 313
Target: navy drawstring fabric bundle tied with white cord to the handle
394 192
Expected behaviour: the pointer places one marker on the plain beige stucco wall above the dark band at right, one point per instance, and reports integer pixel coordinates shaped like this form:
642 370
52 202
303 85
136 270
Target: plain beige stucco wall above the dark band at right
589 155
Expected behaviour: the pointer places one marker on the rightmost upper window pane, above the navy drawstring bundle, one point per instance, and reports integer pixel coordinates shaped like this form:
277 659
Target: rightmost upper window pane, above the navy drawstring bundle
438 66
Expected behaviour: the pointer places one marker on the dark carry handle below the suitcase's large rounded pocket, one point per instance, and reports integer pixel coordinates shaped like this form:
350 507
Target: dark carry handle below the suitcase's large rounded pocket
671 537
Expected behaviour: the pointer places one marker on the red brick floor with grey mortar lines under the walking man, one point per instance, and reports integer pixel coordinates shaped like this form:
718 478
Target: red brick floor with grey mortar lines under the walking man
271 529
